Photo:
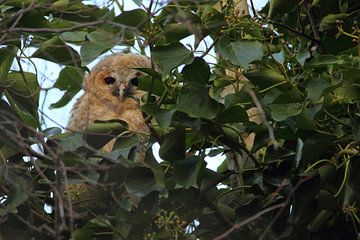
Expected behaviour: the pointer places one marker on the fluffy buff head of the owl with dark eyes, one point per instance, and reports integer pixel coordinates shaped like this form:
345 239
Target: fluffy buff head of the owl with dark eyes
115 78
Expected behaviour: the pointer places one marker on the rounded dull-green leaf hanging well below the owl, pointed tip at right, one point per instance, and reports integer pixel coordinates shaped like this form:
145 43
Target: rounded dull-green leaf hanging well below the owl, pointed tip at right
140 181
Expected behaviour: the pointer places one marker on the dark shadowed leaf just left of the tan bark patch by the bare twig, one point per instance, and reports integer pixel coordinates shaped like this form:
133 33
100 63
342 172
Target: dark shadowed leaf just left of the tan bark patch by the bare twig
233 114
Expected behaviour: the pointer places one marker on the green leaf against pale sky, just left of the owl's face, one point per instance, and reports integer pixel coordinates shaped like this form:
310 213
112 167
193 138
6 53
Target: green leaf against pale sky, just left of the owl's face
69 80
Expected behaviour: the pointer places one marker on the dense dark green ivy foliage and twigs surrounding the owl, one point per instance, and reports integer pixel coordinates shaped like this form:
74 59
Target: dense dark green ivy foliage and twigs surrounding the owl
296 60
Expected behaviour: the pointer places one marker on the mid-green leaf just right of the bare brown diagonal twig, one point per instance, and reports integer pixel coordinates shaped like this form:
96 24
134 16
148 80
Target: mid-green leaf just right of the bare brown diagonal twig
280 112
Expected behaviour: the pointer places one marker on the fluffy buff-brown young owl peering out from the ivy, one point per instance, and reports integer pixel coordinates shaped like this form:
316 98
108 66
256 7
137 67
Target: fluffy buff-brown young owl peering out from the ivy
110 92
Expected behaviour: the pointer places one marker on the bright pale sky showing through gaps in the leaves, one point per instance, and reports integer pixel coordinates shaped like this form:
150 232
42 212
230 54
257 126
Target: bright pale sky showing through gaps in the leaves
48 73
